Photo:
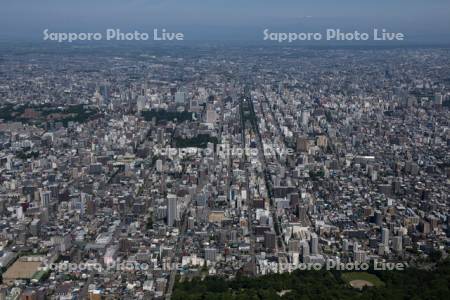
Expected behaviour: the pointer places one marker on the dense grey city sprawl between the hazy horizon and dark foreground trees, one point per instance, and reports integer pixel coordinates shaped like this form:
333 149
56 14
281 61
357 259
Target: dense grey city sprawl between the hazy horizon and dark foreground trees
122 173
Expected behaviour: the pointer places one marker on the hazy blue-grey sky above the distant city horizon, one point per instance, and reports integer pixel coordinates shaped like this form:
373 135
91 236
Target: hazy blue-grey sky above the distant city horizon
225 19
